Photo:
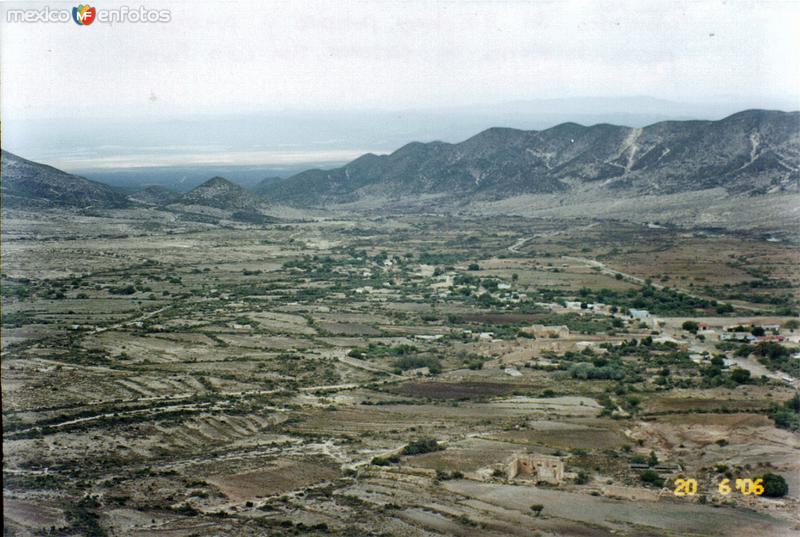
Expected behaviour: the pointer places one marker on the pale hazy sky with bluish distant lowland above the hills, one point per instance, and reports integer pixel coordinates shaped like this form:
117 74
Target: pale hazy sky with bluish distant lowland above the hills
297 86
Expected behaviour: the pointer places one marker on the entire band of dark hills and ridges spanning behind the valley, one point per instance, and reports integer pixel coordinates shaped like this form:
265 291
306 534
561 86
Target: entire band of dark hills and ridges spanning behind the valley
684 171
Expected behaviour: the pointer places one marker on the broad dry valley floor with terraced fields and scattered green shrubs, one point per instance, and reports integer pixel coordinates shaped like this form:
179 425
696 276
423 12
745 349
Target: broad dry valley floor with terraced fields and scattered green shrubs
169 377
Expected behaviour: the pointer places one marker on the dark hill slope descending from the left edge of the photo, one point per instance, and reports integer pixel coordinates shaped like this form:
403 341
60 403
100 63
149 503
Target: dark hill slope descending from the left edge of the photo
26 183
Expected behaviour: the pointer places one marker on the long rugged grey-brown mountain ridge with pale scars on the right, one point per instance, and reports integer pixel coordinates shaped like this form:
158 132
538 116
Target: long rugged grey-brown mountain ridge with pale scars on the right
753 152
